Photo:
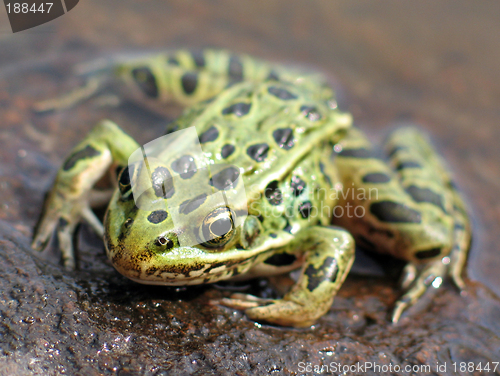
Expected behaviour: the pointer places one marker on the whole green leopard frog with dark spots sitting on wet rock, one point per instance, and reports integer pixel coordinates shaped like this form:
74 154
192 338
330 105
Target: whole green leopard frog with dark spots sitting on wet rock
314 187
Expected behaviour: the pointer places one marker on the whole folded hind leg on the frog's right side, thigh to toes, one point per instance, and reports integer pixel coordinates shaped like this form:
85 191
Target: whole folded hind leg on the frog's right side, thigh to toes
410 211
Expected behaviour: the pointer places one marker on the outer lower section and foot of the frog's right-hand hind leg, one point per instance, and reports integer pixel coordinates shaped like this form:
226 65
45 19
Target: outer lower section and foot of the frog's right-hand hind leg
410 154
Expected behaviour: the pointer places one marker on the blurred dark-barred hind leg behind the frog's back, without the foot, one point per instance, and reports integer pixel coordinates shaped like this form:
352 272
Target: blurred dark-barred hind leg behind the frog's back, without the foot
190 77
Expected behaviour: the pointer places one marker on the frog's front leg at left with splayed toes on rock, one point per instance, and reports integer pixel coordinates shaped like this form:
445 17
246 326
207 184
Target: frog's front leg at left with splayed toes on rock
68 201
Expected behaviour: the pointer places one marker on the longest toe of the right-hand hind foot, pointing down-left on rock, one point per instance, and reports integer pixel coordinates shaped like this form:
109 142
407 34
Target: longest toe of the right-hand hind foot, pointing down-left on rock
431 275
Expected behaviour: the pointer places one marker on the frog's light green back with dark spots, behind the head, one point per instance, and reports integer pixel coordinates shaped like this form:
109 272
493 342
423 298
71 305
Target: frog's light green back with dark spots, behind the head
264 129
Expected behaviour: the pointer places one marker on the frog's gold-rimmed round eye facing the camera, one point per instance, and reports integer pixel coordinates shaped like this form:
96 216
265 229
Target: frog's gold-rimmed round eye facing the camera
218 227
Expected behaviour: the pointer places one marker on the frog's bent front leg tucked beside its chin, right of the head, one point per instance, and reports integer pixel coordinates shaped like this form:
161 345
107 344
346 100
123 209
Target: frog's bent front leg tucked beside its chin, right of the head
329 258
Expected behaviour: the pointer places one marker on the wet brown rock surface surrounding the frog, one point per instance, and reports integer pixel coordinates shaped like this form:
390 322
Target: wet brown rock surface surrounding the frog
435 65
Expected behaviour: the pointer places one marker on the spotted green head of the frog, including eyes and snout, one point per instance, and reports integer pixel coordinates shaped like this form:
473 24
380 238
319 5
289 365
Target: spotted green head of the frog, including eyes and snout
175 233
